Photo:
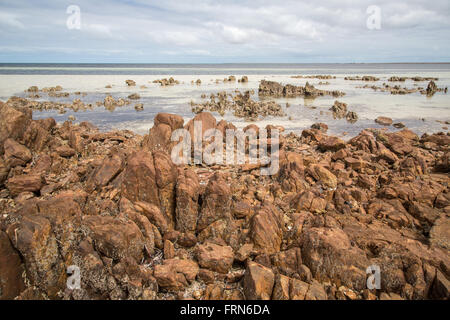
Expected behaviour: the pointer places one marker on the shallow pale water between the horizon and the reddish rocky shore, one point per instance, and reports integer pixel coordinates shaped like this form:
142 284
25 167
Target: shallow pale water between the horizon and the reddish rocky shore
368 104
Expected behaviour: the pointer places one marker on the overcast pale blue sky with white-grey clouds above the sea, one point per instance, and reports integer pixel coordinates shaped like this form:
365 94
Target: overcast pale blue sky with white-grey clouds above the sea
188 31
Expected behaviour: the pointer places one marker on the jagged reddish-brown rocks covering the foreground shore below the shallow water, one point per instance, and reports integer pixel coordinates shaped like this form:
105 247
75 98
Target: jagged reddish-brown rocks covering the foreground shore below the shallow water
140 227
